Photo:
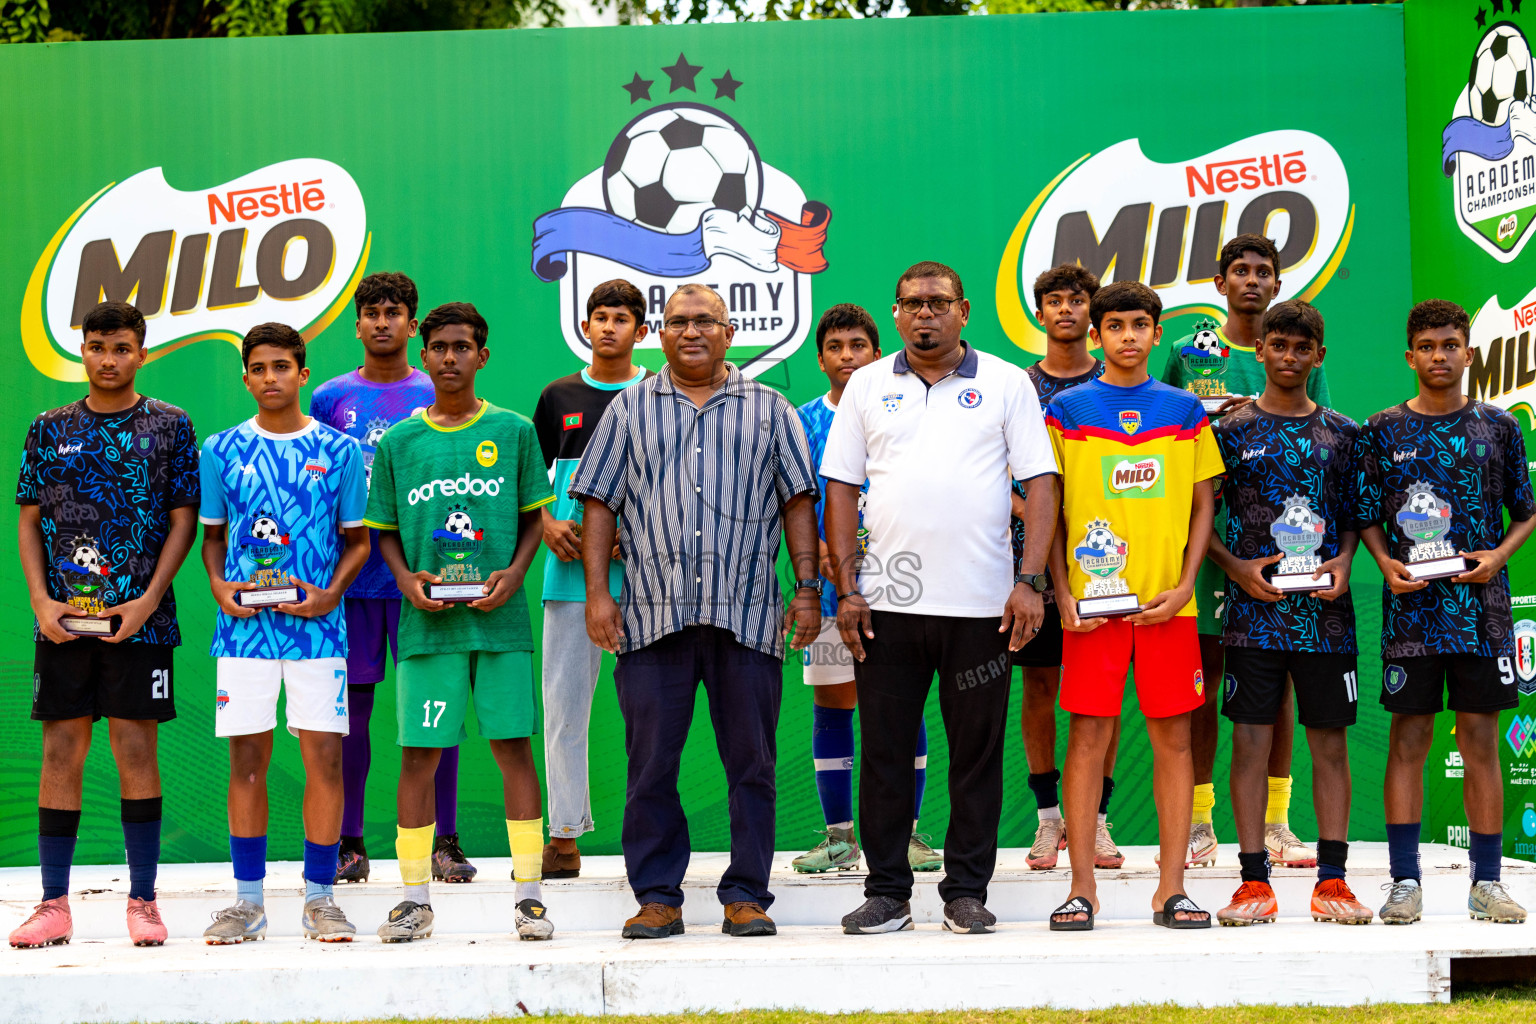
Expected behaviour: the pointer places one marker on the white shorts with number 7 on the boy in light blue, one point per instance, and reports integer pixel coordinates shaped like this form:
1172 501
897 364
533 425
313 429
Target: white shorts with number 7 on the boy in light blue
248 696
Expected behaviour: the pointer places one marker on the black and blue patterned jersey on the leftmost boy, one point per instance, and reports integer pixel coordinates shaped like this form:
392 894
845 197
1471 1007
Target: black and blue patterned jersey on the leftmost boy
105 486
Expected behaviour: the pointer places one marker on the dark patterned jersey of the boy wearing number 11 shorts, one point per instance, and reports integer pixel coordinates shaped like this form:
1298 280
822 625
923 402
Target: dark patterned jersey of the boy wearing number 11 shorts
1288 475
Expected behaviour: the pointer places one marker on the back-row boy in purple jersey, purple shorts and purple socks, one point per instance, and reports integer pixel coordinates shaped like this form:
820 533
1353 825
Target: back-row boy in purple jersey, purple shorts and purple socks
363 405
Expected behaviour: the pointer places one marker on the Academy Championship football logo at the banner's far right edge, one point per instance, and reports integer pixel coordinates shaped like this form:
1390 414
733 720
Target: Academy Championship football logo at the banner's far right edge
1489 147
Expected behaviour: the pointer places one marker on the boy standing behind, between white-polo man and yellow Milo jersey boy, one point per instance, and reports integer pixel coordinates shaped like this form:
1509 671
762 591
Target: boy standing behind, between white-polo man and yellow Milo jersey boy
1062 300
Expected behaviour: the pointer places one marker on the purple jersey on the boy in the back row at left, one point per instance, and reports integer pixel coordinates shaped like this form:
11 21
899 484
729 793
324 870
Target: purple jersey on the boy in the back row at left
365 409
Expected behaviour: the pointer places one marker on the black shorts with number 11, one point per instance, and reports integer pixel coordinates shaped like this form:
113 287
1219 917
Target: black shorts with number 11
1254 687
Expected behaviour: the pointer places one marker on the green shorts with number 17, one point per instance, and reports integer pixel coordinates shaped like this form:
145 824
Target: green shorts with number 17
434 695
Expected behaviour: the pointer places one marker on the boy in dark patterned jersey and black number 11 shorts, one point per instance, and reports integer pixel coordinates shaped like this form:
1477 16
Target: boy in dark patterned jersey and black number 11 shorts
1291 498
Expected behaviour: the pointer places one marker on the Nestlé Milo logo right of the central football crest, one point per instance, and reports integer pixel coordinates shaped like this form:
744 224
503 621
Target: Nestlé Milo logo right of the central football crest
1130 219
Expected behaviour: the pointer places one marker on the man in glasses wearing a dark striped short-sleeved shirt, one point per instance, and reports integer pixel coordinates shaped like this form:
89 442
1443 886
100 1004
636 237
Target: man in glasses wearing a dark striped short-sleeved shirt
695 471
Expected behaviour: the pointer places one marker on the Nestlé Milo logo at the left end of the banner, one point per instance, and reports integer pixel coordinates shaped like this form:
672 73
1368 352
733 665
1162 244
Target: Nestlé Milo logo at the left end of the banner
282 243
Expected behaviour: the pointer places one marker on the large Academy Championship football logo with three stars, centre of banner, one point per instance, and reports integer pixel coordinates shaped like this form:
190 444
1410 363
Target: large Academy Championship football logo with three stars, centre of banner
683 196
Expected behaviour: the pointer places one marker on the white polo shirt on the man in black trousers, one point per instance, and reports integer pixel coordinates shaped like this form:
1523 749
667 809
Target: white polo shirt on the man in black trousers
939 461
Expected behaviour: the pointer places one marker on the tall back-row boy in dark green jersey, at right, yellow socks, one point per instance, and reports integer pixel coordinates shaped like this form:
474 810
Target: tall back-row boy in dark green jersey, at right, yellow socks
1220 363
